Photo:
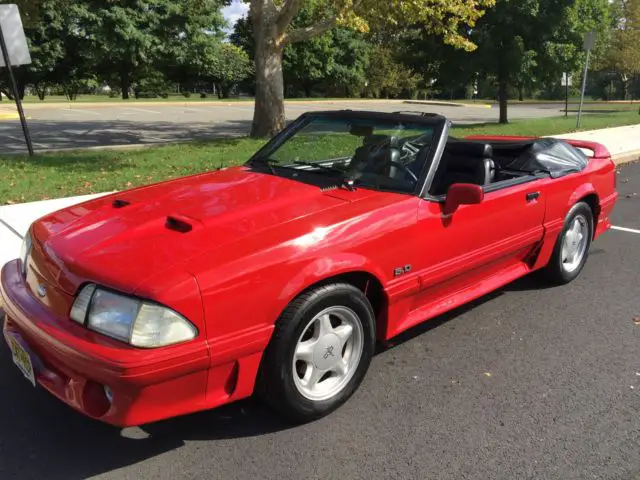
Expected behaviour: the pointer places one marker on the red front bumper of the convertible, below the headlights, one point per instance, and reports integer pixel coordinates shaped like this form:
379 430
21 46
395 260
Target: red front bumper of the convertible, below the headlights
75 364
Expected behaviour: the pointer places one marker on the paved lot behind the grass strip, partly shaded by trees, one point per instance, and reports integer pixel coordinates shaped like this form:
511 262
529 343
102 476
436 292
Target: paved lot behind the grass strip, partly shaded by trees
87 126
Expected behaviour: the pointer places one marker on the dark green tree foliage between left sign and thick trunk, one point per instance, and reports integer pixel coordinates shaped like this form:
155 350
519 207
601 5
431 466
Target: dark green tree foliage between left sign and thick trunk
131 45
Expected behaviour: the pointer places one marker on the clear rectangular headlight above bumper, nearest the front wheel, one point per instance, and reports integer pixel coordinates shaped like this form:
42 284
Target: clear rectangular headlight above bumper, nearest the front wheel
131 320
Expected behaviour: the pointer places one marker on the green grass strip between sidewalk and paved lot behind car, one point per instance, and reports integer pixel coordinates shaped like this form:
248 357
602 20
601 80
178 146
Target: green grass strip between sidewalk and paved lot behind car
24 179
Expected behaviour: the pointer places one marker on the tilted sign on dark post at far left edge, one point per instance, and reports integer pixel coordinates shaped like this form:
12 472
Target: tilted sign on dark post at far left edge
15 52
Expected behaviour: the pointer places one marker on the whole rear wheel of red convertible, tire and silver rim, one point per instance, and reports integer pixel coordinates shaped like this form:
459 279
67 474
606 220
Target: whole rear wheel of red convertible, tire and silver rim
572 247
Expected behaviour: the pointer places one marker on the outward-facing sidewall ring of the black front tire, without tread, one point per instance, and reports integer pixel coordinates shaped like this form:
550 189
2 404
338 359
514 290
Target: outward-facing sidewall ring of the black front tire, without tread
342 295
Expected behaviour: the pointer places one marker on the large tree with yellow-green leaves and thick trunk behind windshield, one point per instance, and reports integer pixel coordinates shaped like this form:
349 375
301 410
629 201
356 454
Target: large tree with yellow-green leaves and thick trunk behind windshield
273 32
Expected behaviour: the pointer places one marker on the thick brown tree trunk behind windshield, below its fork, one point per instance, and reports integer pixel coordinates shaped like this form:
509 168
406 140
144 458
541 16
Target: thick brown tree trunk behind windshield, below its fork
268 115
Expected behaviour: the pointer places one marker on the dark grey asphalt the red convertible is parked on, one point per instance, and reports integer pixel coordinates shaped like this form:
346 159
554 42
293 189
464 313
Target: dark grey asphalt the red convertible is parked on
528 382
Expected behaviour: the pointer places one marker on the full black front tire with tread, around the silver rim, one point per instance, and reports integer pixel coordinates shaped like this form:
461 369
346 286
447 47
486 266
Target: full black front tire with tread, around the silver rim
276 383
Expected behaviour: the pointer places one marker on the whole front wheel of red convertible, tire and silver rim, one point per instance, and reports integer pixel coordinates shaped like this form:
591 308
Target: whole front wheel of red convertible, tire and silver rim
319 353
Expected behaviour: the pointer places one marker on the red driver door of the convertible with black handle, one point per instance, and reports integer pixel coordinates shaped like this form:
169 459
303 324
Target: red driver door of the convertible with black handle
478 247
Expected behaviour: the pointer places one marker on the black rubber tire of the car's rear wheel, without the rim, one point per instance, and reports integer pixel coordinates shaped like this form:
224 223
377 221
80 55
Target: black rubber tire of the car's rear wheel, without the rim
557 270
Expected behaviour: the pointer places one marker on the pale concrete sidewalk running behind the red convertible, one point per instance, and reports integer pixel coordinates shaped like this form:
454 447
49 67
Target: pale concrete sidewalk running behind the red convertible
622 142
